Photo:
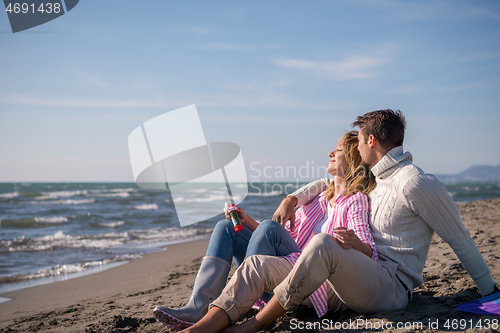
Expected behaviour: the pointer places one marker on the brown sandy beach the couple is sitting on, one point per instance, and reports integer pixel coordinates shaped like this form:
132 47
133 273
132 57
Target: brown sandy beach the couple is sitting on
121 299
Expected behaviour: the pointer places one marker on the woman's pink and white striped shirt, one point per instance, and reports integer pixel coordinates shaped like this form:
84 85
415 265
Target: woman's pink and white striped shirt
350 211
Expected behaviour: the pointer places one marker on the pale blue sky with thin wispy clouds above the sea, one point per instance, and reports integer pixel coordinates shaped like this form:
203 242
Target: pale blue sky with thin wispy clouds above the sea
281 79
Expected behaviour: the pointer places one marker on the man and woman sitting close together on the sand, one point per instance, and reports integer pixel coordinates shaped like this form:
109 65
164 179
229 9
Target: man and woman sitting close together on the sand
334 252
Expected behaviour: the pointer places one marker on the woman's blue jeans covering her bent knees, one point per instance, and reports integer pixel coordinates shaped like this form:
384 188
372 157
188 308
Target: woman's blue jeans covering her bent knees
270 238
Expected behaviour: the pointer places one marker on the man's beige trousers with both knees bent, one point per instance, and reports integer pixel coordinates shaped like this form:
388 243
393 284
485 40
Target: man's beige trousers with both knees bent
358 282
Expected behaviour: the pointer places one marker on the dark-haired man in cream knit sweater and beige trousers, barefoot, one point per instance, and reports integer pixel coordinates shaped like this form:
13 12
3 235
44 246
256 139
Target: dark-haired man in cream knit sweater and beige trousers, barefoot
407 207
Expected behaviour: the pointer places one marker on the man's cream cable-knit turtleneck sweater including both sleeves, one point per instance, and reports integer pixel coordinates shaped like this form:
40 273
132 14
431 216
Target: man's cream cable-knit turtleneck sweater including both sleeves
407 206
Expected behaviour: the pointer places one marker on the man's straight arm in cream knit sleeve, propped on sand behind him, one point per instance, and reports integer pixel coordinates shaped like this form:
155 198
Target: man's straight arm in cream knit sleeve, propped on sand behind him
431 201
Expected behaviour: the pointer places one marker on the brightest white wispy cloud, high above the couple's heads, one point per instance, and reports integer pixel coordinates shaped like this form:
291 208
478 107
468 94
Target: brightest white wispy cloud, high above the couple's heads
353 68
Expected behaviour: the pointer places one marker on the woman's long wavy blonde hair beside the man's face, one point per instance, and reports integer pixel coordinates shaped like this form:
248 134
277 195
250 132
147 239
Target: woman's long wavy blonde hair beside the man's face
358 175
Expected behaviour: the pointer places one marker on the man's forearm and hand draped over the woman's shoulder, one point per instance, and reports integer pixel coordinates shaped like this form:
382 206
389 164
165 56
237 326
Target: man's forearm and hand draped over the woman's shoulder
300 197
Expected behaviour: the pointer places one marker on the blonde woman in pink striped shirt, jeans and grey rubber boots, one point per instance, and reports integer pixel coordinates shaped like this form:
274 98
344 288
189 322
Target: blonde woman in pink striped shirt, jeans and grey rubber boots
342 210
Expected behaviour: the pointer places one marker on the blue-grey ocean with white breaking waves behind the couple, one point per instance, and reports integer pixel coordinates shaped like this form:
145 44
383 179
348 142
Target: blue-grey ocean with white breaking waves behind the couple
56 231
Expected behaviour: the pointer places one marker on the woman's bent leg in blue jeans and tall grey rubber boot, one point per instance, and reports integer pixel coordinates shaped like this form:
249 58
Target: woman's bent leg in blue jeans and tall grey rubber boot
224 244
